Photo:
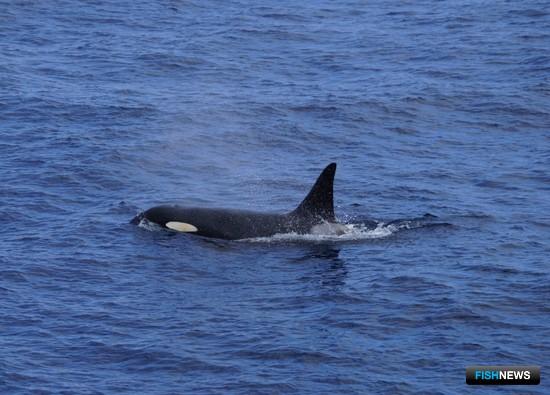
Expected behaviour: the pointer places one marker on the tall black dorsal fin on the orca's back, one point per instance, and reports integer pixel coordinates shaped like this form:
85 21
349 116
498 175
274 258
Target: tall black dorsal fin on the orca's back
319 201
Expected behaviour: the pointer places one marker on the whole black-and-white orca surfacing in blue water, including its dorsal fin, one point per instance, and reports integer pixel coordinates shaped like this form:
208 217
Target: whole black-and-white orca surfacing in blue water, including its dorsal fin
316 209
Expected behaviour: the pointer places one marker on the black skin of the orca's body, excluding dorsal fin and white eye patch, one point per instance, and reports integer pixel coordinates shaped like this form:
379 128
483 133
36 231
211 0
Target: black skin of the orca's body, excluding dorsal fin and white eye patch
229 224
